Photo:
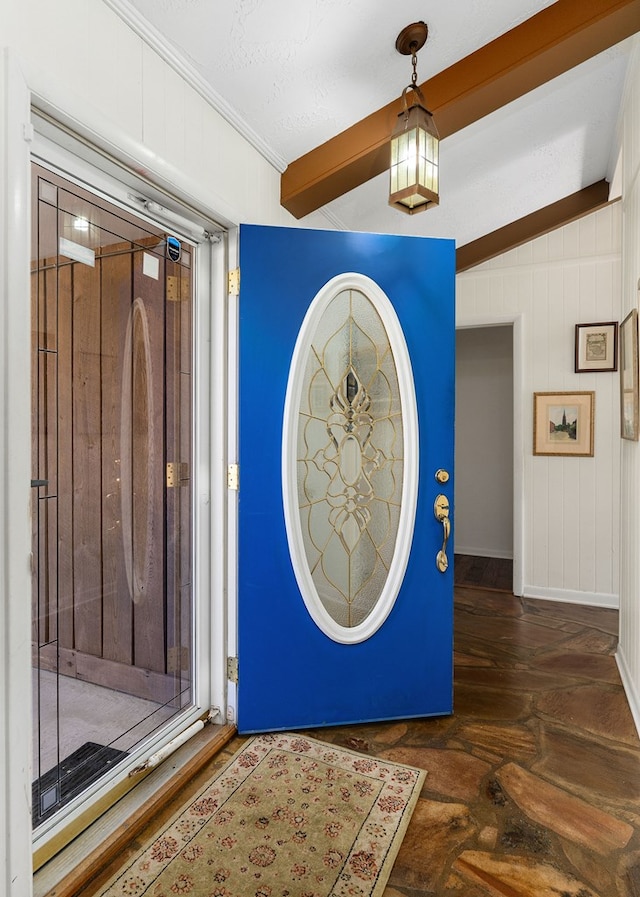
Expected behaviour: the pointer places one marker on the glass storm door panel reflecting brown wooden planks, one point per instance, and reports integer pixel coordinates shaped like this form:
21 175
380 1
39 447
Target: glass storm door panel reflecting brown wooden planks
111 437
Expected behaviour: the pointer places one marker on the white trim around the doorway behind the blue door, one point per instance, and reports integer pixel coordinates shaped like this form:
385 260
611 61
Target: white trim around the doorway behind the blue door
467 322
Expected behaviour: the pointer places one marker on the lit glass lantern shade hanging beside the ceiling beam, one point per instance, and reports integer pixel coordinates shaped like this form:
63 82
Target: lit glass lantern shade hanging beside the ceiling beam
414 161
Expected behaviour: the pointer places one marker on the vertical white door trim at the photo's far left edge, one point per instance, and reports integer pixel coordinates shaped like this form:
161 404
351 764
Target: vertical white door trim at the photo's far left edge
15 475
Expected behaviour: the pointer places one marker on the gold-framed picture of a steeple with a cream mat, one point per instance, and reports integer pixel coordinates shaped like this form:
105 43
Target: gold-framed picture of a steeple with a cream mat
563 423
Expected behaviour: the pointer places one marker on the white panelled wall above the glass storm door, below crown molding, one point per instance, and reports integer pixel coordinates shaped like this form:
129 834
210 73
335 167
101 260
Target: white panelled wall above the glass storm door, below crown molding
82 58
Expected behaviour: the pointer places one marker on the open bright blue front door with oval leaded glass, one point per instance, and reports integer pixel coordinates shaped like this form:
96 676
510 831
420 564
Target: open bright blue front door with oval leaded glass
346 414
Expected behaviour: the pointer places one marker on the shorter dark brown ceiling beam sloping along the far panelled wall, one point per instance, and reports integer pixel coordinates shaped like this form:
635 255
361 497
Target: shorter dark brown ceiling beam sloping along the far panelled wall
534 225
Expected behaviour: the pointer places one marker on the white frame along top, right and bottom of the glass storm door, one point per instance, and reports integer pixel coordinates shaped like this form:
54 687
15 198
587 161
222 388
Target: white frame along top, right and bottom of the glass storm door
208 518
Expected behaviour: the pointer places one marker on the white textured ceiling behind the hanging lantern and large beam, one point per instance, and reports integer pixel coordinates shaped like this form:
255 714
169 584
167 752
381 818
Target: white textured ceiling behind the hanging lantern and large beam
300 71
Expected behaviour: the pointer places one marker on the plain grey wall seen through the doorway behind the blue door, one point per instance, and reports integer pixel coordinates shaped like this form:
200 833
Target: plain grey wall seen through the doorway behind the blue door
484 442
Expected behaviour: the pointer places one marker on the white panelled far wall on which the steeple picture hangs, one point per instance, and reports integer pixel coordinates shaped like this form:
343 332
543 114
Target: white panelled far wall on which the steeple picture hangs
570 506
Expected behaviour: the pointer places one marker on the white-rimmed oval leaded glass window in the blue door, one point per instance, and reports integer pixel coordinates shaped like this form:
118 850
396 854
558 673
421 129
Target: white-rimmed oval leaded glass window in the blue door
350 458
